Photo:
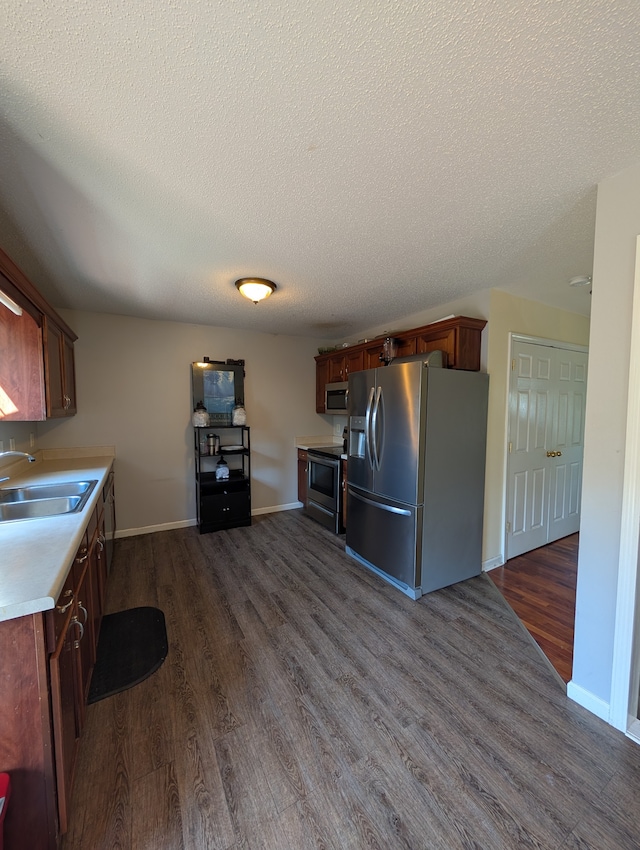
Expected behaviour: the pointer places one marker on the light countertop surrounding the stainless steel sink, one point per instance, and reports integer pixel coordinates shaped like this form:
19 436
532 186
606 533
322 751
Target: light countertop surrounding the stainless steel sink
36 554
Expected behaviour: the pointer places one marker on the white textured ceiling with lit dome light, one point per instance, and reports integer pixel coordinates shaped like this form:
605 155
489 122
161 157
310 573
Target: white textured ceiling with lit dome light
373 158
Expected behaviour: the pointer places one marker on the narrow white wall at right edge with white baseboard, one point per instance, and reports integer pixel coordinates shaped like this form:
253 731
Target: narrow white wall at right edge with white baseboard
617 225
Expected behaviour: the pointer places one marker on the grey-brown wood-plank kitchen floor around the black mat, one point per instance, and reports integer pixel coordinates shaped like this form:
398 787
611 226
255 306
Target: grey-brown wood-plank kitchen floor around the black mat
306 704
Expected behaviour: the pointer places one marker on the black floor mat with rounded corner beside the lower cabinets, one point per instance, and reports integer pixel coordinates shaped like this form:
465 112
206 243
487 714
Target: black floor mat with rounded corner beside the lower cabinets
132 646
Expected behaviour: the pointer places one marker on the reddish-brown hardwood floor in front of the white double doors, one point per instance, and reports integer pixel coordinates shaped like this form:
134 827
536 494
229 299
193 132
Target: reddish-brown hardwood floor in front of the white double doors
540 586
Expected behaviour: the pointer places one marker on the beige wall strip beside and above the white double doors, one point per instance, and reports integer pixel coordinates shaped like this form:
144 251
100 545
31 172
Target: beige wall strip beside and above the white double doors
509 314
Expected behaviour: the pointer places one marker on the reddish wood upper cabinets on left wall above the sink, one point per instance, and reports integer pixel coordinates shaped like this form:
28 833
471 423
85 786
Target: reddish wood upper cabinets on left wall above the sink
37 367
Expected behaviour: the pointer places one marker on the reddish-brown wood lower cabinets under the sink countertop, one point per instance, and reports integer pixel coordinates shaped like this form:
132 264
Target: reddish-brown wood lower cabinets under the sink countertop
47 662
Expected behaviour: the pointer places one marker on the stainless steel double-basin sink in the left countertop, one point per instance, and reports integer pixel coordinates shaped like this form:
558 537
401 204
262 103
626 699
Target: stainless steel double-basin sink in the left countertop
37 501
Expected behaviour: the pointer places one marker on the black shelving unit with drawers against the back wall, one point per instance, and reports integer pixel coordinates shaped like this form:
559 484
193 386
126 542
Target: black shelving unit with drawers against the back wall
223 503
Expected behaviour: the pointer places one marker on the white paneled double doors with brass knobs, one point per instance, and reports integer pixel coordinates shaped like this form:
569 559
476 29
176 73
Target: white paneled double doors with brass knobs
546 432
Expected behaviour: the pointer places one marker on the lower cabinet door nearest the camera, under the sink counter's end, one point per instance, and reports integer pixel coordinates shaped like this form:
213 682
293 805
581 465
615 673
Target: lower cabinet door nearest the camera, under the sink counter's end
65 686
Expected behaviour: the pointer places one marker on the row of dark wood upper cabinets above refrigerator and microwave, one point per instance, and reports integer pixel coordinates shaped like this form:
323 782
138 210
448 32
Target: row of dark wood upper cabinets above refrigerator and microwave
459 338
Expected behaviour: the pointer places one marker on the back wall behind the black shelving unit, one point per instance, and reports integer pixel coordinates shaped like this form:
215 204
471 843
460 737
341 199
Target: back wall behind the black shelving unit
134 392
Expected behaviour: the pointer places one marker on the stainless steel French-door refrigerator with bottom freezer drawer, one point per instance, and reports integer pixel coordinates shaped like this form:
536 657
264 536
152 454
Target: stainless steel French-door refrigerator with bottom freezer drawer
415 473
